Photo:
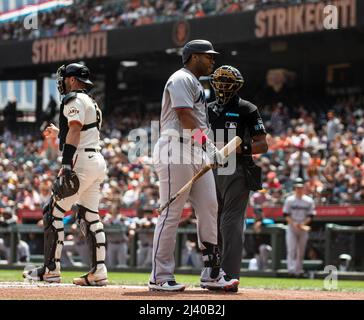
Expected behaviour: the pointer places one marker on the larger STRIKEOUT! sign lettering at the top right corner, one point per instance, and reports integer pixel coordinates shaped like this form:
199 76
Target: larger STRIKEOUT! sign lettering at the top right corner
304 18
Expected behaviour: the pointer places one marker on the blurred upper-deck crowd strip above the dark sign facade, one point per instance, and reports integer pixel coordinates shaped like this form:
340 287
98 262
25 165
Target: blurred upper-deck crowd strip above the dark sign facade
97 15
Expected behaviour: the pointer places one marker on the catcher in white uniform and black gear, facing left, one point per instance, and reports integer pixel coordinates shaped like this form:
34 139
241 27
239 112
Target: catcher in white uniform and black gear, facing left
78 182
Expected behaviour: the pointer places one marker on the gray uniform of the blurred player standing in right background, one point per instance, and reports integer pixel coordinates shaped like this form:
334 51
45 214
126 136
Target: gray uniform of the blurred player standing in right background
296 240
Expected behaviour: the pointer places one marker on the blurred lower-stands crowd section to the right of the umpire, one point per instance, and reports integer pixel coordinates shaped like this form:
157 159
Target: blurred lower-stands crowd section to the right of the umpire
324 147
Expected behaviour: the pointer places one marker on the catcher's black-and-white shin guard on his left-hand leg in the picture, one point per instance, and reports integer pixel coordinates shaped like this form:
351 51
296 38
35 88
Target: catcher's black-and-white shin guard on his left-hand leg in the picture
53 234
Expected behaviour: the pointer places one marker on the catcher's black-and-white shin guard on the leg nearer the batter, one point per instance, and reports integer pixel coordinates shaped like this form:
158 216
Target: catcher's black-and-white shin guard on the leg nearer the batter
93 230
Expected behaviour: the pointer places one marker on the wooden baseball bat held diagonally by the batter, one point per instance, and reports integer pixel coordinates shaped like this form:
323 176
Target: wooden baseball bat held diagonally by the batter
225 151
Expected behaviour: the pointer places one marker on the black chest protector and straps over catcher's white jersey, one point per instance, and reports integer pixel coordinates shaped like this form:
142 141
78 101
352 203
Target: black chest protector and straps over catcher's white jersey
63 122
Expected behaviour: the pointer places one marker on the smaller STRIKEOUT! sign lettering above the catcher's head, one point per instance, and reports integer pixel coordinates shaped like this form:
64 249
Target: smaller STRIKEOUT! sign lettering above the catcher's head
75 47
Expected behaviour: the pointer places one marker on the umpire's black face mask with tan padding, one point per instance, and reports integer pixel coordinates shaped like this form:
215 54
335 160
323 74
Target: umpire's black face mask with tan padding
226 82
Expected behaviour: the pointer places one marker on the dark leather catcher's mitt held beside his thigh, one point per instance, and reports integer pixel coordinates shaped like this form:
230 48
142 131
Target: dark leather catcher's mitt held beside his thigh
66 185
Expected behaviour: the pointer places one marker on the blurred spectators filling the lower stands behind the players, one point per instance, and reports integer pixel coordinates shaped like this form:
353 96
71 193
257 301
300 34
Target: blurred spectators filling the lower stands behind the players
323 146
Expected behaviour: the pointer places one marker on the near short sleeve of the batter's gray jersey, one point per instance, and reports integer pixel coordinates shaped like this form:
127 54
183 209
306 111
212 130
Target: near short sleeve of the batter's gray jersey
181 93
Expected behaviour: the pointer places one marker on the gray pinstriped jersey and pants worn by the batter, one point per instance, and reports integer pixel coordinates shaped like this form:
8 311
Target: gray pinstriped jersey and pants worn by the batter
176 162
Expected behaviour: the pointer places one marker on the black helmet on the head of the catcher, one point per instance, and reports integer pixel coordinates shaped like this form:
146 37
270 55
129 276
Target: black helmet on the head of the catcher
77 70
